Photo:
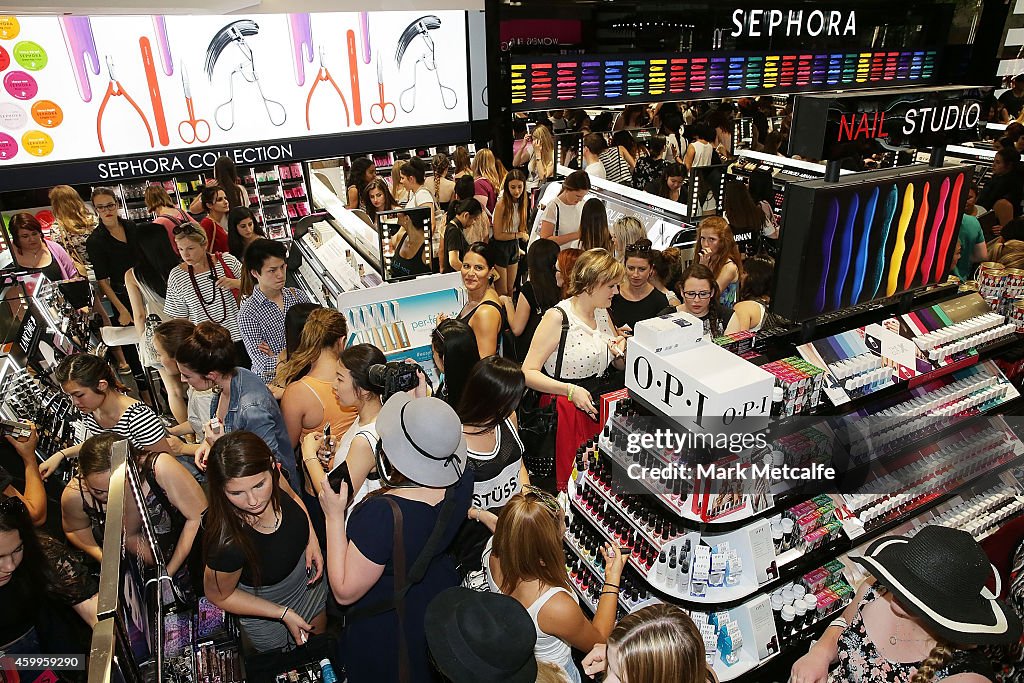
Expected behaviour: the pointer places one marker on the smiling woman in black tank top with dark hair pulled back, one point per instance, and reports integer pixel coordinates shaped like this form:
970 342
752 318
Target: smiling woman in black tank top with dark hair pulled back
484 311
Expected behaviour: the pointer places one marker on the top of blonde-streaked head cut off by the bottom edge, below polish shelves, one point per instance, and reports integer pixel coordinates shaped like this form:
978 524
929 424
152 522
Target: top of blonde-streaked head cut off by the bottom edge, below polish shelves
656 644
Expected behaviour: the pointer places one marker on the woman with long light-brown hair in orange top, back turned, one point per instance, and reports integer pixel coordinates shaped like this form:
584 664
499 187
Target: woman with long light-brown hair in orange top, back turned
310 403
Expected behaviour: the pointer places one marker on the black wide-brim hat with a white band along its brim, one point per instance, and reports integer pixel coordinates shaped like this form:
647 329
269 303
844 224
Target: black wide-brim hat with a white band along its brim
940 576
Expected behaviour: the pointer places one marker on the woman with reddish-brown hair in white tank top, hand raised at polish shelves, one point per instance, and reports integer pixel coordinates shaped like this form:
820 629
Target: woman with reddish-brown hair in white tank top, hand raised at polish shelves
539 582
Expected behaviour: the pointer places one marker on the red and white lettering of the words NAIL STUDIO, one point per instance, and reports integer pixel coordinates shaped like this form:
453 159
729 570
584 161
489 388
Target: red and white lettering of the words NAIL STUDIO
917 121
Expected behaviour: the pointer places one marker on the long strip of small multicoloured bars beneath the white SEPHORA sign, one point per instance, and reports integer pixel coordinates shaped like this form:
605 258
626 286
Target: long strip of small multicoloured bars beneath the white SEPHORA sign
544 82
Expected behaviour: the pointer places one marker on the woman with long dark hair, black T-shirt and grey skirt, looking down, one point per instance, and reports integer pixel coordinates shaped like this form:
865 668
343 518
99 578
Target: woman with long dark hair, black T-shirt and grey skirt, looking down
263 560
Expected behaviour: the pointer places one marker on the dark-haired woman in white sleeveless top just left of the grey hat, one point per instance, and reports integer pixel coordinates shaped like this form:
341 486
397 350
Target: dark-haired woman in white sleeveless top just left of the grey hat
358 446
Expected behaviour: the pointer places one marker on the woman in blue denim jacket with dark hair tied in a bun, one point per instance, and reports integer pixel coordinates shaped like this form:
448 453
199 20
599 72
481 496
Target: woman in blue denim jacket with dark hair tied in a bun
241 403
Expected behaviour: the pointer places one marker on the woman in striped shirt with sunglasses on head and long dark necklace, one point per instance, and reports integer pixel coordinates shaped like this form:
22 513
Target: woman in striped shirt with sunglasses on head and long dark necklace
205 287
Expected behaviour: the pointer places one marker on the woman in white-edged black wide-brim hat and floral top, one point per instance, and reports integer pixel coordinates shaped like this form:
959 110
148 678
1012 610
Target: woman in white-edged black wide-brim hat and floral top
921 618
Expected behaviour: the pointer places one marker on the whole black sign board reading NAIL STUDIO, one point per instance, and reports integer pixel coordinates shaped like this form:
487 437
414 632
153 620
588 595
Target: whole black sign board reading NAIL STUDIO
832 126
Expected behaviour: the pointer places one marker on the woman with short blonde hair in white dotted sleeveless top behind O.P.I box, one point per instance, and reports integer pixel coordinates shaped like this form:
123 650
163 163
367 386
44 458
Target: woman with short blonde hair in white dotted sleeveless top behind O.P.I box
568 365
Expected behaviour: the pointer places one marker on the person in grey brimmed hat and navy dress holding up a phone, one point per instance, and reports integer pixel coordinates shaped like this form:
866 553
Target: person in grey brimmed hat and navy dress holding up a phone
392 562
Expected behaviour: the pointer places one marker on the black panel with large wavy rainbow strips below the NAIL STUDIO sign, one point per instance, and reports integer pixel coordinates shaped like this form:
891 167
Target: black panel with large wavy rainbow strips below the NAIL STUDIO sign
856 241
